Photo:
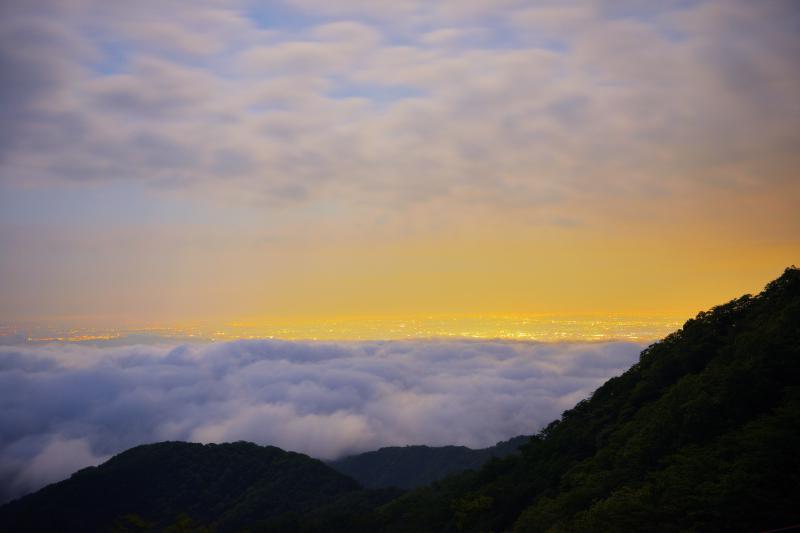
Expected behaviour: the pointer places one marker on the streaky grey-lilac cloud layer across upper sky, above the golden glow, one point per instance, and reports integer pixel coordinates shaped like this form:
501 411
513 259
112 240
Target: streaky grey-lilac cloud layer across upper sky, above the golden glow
665 98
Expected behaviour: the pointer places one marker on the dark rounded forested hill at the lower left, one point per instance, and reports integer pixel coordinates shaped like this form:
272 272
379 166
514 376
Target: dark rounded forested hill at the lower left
177 483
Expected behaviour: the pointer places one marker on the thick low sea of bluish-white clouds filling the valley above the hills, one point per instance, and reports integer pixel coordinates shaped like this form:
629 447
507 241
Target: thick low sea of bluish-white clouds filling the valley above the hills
64 407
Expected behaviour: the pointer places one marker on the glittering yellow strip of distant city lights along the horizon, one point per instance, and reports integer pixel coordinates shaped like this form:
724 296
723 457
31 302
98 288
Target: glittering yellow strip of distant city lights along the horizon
543 328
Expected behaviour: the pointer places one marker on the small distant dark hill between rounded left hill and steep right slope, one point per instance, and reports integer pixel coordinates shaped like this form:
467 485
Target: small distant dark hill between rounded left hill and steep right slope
412 466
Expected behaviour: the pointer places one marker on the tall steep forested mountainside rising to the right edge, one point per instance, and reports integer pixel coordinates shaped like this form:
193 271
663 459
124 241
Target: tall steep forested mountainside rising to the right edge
701 434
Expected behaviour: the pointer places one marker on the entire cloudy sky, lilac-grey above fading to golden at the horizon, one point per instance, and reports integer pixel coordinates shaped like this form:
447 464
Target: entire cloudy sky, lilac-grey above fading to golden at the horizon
305 159
